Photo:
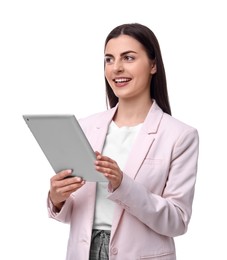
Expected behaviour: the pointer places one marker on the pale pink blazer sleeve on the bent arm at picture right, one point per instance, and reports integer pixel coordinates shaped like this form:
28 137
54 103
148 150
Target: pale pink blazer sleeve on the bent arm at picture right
169 213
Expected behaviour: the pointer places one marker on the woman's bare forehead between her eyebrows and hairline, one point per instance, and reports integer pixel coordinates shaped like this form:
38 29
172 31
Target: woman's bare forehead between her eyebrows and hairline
123 43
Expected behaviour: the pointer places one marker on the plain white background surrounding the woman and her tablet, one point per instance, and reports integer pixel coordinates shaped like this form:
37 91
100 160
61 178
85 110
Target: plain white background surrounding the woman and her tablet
51 61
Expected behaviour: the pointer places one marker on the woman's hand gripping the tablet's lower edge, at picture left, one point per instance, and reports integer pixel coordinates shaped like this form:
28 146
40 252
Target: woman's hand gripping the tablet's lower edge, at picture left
62 185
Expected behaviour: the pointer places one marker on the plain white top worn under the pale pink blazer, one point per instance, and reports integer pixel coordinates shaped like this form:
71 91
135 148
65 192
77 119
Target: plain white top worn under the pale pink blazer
117 146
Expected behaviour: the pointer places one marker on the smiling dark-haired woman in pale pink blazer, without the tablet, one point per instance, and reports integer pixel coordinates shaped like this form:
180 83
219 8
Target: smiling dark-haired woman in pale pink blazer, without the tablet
148 157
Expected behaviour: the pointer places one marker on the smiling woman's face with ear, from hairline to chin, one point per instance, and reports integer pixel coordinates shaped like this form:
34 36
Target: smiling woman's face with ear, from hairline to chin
128 69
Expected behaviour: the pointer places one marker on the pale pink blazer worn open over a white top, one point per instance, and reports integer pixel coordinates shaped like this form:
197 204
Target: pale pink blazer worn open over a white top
153 204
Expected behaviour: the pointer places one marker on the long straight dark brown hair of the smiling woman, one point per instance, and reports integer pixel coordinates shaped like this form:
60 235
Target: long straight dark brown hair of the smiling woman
158 86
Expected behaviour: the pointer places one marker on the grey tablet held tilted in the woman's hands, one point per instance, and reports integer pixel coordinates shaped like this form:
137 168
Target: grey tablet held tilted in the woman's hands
64 144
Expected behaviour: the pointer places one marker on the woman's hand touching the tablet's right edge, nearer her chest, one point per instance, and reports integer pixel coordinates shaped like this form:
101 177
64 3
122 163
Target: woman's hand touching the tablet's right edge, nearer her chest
110 169
